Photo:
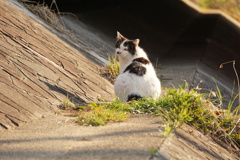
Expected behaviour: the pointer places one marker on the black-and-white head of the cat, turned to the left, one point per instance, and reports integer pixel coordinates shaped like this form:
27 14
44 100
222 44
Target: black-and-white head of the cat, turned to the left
125 47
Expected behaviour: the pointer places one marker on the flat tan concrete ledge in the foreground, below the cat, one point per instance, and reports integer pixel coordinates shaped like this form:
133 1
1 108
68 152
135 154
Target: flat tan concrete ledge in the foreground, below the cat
56 137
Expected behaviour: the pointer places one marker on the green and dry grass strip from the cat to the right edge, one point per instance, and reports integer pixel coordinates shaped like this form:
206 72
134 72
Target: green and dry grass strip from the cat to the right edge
183 106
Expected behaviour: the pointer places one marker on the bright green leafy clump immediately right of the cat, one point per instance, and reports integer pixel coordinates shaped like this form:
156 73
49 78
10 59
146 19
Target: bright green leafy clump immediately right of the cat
181 106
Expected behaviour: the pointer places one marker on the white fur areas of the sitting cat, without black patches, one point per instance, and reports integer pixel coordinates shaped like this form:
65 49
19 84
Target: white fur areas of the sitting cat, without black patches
127 83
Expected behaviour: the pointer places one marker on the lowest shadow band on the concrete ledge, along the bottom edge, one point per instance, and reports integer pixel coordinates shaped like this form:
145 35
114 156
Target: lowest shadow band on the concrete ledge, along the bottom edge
77 154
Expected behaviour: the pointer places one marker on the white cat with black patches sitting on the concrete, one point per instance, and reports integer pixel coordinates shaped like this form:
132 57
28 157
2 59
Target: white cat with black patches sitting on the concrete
137 77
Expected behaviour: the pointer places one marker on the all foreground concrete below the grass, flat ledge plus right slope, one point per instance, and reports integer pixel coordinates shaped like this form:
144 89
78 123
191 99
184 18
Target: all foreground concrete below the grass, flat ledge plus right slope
57 137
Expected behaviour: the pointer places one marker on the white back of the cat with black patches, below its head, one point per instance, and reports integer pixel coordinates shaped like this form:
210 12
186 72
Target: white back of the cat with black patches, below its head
138 78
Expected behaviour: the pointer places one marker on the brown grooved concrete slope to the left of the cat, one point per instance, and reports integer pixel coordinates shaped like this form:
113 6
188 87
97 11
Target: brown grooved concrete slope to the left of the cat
38 70
